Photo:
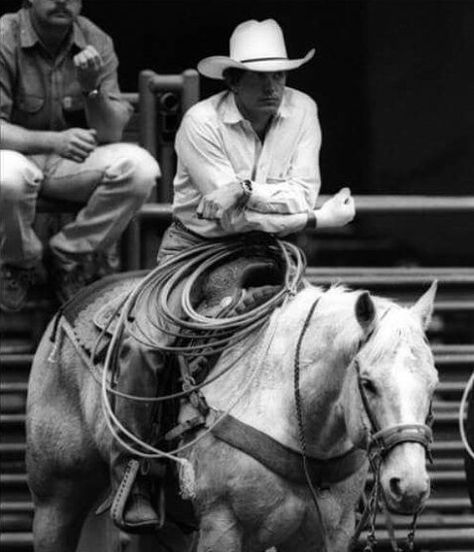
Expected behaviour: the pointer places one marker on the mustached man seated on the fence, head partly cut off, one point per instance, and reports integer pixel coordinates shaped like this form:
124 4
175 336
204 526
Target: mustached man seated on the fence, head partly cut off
61 118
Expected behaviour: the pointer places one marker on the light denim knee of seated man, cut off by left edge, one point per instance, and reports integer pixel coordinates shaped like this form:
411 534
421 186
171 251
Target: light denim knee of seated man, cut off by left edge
19 177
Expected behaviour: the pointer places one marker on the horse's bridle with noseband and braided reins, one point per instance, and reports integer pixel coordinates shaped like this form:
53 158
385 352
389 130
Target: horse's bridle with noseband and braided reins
380 443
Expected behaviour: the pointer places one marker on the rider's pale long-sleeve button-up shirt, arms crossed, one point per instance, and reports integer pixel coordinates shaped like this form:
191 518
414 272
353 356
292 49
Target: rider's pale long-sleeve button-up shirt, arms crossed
217 146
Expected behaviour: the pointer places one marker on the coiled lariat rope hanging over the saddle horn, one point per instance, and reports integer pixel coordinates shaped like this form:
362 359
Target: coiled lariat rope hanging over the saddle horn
206 335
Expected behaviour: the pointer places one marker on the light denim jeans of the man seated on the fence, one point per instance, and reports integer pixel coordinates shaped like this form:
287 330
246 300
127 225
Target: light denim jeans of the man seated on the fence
112 184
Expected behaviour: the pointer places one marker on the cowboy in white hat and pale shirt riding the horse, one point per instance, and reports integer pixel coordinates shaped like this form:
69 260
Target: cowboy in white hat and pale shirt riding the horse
247 161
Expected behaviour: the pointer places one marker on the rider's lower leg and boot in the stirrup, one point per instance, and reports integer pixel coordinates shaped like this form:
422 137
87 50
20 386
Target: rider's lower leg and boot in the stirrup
132 509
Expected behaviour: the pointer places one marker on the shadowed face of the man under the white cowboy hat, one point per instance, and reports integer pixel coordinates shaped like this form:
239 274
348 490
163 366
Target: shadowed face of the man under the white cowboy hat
258 94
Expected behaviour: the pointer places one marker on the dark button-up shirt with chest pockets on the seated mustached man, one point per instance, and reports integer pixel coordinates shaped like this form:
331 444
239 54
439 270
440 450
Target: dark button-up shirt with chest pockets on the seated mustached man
39 92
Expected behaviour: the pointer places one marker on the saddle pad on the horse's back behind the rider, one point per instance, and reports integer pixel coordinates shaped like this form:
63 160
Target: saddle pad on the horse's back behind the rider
89 312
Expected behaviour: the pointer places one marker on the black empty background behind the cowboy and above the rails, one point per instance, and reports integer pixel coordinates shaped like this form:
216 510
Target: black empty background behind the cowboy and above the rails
393 79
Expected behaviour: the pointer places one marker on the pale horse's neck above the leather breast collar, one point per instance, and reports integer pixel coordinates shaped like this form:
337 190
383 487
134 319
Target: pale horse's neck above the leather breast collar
259 389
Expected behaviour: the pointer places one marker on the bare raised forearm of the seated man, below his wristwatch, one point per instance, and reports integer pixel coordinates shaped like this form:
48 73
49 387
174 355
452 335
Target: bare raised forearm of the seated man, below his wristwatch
108 117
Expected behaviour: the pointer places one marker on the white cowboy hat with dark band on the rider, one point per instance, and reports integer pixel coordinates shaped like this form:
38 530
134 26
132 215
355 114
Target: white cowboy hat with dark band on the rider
254 46
